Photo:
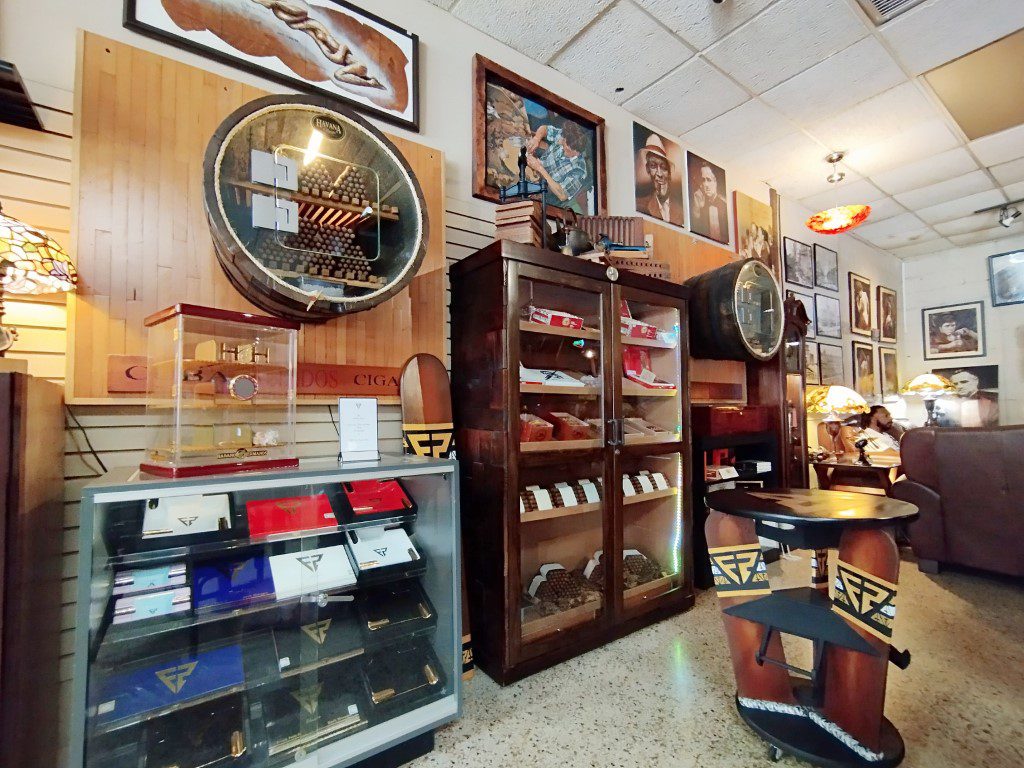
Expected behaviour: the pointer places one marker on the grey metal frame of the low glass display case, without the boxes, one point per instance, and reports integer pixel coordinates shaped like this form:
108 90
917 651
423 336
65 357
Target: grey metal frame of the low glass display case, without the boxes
438 536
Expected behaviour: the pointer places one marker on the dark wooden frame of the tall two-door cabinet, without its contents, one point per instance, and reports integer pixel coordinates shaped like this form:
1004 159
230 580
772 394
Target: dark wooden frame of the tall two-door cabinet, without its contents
487 331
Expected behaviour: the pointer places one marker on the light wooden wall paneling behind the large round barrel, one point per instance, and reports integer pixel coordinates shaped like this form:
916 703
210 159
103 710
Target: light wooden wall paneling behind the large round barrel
142 236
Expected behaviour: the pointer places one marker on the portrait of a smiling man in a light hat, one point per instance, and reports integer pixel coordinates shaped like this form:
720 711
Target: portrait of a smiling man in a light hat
658 183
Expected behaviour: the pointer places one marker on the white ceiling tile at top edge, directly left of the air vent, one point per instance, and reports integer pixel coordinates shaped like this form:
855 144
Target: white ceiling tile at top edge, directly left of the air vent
785 40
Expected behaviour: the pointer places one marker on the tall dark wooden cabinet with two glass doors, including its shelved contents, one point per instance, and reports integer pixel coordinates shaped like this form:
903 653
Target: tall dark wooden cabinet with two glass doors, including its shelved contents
570 395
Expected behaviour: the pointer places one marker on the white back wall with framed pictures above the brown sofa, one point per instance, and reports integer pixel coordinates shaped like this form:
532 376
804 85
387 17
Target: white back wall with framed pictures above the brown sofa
965 311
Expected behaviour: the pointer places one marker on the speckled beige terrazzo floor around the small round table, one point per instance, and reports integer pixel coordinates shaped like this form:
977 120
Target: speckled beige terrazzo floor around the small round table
664 697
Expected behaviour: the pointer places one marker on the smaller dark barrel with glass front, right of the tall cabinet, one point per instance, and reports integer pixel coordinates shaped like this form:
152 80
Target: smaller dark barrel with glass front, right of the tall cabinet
737 313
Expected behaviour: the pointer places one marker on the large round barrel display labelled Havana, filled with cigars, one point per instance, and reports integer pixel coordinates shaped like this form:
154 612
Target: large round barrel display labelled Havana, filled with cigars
315 212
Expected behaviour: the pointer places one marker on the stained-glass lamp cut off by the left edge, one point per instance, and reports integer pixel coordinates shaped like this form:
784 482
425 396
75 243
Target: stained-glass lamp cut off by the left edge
31 263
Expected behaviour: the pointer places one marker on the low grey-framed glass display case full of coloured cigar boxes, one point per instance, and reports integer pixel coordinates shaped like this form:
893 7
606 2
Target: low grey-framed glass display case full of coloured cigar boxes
303 618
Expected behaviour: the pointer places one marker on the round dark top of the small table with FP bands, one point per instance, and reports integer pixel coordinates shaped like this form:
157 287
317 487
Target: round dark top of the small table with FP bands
803 507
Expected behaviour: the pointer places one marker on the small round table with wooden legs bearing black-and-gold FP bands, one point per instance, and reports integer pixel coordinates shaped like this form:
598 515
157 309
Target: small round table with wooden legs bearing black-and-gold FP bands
837 719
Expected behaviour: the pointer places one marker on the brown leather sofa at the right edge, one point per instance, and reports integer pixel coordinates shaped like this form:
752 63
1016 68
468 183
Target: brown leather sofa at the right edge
969 486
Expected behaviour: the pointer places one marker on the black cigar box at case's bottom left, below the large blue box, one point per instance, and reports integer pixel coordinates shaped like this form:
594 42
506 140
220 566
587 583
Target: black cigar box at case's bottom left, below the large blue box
214 735
